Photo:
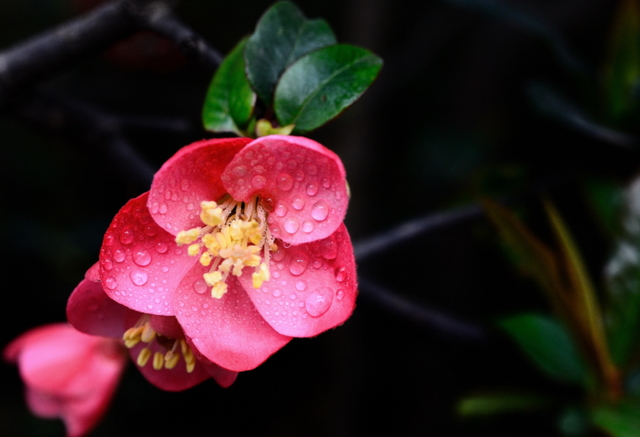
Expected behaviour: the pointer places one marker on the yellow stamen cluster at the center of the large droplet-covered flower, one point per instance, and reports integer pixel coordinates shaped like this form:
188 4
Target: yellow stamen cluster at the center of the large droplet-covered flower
234 235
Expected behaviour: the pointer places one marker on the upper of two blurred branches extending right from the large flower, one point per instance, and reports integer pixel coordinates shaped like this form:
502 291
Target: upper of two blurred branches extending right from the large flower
411 229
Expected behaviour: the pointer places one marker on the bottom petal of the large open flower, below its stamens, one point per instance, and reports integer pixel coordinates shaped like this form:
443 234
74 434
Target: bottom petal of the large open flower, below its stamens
228 331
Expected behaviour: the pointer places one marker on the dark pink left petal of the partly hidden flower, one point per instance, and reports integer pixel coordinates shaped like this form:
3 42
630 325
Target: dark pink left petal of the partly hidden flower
91 311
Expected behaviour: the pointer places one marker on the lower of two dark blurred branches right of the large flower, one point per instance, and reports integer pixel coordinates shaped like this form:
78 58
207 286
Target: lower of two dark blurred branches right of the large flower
390 301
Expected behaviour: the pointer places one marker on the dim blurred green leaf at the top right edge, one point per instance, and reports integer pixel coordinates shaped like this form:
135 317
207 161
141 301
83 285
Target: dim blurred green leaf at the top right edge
623 66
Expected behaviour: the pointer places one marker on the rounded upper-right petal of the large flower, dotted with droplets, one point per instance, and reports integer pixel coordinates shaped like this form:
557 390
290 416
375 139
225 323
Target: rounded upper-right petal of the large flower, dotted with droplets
300 180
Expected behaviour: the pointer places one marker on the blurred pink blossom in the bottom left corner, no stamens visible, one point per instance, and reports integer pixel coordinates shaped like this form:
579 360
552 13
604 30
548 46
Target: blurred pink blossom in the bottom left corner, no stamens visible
67 374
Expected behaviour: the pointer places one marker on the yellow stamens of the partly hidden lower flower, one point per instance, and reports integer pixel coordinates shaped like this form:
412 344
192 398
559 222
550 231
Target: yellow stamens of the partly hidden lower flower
142 331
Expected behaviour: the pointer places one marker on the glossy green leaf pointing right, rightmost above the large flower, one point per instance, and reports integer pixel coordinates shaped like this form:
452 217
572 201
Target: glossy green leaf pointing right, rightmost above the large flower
322 84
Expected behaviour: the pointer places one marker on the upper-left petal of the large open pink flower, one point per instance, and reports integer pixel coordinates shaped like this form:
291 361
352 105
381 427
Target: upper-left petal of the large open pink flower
189 177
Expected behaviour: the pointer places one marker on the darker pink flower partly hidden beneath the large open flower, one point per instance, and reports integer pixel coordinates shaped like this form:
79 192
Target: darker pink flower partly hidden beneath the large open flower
156 343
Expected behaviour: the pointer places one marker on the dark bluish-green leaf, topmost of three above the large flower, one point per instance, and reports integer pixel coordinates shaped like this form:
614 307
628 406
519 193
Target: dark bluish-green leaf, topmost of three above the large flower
282 35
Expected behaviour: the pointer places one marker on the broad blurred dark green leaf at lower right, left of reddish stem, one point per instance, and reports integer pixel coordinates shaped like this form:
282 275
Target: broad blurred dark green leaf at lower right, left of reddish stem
548 345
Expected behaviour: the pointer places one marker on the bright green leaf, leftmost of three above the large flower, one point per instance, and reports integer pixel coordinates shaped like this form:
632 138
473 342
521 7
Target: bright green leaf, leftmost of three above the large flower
230 100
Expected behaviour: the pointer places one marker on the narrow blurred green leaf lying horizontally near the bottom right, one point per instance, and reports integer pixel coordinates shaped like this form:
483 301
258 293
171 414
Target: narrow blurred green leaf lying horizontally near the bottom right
497 403
